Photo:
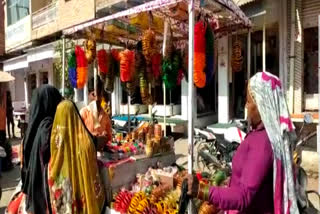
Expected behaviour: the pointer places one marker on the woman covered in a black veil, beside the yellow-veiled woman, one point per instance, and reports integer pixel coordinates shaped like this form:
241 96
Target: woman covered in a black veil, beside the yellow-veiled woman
36 149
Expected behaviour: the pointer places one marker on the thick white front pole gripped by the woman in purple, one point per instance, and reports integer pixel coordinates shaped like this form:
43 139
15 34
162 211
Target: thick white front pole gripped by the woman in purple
190 91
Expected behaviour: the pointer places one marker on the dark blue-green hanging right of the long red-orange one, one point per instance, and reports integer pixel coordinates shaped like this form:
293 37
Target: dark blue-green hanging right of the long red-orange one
209 54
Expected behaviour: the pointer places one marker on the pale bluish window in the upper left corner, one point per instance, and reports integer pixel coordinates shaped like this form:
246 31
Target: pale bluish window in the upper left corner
16 10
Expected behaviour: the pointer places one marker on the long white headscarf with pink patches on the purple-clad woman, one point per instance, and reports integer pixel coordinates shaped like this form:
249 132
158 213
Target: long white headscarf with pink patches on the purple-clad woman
267 93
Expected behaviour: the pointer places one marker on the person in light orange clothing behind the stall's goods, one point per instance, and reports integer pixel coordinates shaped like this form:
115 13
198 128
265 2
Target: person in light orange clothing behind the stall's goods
94 116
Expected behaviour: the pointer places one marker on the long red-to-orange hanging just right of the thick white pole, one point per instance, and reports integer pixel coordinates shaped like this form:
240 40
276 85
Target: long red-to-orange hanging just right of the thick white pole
199 76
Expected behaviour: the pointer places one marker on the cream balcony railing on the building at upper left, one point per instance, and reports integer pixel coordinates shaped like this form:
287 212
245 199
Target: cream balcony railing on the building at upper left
44 15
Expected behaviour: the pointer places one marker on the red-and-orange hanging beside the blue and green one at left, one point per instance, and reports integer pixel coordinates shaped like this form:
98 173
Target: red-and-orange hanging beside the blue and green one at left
82 67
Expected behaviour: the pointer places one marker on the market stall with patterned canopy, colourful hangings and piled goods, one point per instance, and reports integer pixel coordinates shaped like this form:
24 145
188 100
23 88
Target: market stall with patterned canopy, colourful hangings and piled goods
160 40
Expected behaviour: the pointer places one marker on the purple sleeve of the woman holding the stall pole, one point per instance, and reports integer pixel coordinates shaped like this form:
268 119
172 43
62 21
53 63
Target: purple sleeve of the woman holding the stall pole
258 158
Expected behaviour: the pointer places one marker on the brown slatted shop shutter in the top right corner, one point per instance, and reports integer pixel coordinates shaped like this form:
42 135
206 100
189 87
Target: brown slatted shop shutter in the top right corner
310 12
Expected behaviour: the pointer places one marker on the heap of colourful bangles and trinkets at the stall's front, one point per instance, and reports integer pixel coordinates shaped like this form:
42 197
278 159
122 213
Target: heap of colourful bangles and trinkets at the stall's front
152 194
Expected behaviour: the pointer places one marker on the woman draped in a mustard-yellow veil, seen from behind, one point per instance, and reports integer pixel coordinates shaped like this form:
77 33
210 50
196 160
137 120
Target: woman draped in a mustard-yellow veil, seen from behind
74 182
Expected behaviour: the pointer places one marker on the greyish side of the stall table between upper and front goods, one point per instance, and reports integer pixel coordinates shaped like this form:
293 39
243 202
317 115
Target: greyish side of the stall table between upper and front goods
123 174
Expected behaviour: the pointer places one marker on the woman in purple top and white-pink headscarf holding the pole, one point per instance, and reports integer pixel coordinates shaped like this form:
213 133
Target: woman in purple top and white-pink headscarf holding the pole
262 173
